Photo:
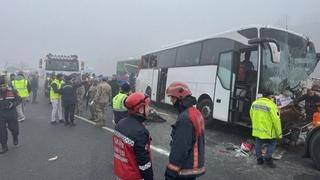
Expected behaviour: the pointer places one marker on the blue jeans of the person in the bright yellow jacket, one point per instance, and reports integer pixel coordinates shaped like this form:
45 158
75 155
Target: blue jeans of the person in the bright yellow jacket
271 145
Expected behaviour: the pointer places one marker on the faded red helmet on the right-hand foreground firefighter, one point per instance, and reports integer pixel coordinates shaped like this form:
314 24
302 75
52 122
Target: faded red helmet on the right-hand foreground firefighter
179 90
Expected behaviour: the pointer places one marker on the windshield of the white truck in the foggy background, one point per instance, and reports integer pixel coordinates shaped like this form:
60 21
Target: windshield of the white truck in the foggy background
62 65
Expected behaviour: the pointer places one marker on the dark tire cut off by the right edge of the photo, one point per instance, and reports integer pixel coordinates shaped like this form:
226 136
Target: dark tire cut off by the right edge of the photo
315 149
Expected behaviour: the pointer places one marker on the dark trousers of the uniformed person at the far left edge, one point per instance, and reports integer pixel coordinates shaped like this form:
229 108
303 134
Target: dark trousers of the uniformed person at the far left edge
12 124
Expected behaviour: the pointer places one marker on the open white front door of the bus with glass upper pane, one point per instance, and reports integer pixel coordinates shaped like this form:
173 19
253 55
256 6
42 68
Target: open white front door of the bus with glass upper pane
223 87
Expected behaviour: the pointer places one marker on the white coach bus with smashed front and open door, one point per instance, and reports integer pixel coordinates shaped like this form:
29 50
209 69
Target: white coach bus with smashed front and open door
214 68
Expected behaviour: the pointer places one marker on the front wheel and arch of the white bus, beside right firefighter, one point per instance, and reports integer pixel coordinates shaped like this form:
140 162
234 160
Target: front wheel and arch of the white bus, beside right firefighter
205 106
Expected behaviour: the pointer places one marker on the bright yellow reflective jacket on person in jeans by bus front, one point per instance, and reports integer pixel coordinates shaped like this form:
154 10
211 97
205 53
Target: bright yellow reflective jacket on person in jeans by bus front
266 123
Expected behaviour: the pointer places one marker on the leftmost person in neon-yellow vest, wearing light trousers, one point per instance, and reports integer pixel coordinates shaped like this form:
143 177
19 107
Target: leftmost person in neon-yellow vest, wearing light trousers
23 87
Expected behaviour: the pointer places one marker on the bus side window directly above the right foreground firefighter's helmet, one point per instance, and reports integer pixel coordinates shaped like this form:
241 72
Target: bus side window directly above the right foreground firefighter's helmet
189 55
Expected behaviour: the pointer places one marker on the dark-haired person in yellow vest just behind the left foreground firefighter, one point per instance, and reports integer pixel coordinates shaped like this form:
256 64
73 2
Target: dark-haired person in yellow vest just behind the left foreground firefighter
119 110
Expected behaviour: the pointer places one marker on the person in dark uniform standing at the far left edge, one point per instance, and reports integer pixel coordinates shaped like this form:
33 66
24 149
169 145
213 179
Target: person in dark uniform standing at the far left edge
9 100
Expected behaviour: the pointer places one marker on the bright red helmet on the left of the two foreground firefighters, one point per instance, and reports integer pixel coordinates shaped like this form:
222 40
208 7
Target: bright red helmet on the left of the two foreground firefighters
135 101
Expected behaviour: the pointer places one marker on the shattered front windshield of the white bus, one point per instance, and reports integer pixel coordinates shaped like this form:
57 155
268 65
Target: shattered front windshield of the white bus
297 61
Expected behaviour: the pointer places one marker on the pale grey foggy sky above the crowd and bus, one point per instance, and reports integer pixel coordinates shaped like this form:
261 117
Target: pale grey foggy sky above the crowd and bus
102 32
